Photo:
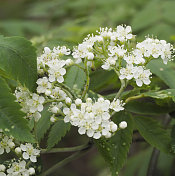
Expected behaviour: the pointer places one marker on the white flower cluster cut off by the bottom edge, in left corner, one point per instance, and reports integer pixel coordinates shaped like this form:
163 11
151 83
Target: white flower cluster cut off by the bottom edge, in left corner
16 168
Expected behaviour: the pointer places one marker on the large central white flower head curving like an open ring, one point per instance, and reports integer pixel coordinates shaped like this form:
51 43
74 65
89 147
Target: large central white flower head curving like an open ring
115 50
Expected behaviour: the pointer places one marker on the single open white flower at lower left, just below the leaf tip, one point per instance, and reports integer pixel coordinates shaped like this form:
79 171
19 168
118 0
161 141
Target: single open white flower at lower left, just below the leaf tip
29 152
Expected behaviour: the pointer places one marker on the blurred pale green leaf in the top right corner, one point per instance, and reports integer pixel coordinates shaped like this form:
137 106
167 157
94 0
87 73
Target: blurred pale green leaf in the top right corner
154 19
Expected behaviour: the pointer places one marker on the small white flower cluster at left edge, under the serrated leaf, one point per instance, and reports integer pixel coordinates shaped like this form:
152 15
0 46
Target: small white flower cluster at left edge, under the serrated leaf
6 143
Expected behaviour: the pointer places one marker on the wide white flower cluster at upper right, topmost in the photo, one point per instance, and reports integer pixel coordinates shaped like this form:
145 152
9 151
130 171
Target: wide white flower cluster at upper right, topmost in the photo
115 50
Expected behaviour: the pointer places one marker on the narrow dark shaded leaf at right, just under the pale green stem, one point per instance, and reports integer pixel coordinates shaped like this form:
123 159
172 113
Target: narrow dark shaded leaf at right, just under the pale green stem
147 108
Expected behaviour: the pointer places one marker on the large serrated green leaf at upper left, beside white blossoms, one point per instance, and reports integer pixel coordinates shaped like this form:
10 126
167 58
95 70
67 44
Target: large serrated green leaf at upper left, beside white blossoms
18 60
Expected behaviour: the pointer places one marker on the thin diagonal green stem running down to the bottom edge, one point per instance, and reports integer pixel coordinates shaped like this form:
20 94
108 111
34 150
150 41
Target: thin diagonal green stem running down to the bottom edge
66 161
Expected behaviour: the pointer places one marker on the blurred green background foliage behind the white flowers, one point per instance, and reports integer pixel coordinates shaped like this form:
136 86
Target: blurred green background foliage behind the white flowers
53 22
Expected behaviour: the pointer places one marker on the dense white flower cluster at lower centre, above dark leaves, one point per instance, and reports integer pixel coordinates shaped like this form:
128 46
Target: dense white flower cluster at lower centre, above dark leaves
93 118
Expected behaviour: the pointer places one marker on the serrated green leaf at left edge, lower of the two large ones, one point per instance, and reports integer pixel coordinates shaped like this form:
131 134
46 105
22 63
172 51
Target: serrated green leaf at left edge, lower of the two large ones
11 117
